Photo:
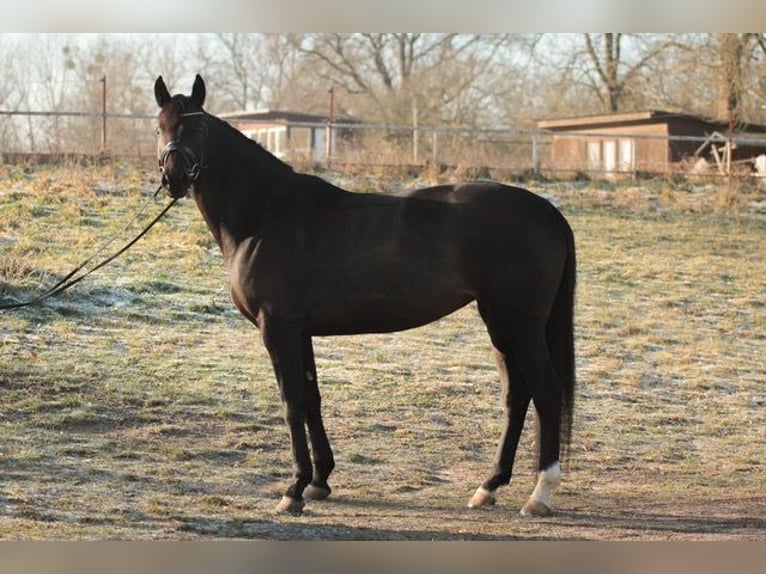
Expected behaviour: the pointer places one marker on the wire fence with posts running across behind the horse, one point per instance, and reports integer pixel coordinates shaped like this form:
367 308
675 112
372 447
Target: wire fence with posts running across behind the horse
470 152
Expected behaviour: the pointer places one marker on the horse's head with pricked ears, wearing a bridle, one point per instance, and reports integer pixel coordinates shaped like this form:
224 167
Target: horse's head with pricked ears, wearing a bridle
181 132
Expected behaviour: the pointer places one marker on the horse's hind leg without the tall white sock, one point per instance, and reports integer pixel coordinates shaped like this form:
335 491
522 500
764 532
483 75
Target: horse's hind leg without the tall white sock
516 398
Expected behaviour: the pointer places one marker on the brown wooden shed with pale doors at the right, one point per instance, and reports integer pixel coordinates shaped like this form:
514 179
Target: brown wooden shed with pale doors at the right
649 142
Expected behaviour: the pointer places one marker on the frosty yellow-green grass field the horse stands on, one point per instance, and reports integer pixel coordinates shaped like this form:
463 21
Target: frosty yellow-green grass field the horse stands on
129 408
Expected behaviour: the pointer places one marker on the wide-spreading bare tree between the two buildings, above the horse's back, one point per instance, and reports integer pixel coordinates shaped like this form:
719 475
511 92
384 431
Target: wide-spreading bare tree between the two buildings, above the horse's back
385 74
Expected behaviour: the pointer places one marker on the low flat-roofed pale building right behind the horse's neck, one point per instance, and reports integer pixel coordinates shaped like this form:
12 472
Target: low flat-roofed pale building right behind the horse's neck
290 135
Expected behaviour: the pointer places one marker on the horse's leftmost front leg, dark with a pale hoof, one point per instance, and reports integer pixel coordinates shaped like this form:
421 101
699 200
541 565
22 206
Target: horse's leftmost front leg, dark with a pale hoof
284 342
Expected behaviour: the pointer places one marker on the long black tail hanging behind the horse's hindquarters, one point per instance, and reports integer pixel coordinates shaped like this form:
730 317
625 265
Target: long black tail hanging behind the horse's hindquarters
560 336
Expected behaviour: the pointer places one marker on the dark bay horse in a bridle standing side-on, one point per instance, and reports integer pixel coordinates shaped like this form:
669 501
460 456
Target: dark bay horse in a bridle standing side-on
306 258
